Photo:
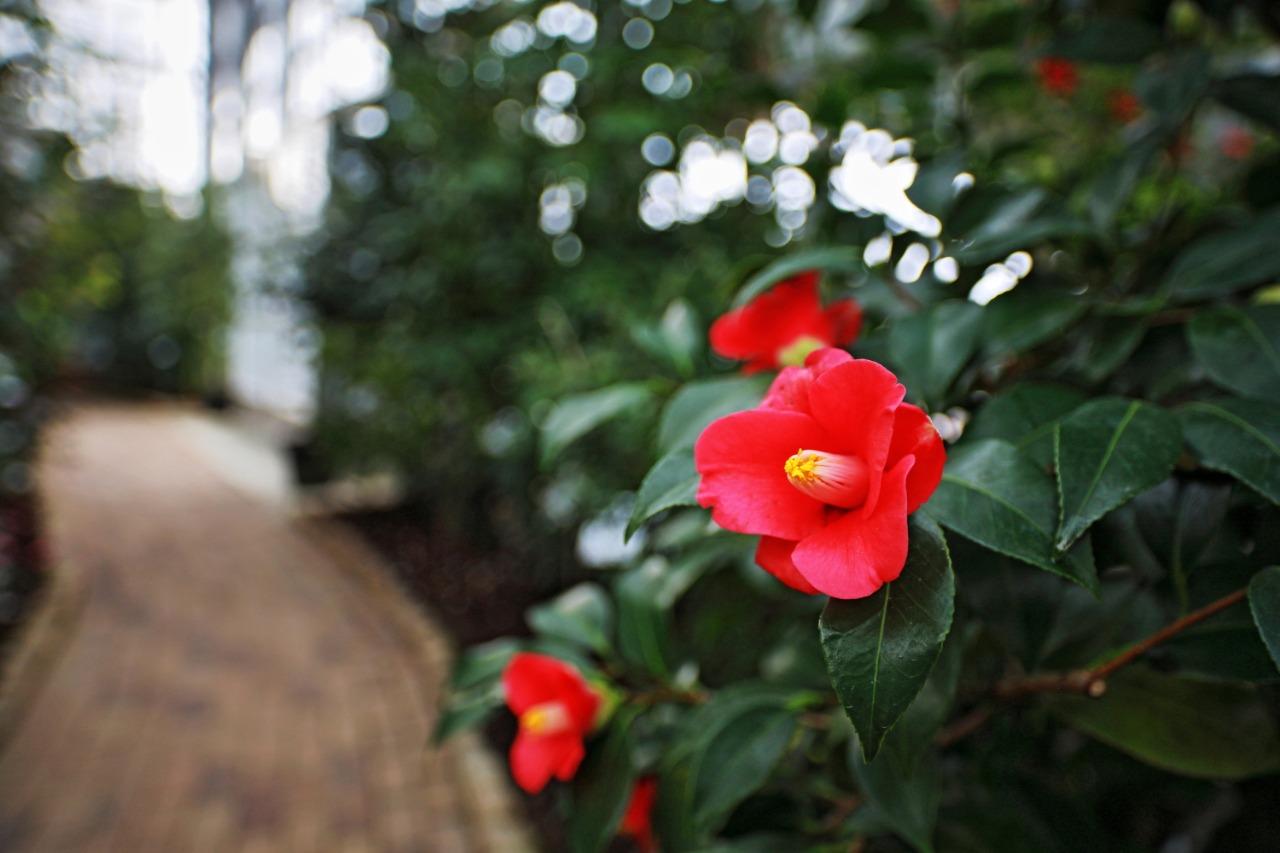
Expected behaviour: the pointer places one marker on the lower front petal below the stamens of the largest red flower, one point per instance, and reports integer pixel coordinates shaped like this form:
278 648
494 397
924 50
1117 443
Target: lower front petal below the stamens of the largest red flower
861 553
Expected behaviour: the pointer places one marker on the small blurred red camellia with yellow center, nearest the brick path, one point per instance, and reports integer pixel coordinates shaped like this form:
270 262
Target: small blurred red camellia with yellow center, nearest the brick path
556 709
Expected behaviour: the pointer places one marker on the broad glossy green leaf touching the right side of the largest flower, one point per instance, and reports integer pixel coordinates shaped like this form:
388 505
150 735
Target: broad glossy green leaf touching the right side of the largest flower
1000 499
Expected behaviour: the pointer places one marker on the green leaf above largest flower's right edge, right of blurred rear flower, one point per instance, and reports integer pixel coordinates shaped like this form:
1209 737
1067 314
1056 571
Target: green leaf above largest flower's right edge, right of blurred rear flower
931 348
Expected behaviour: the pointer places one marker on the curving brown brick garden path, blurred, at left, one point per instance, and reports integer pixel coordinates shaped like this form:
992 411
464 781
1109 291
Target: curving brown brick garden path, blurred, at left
228 678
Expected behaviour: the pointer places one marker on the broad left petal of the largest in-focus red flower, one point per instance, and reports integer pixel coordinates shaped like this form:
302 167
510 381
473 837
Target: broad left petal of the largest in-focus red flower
742 459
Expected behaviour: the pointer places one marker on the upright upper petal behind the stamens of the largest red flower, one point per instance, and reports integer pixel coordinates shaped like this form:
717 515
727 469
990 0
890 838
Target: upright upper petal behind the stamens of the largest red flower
856 403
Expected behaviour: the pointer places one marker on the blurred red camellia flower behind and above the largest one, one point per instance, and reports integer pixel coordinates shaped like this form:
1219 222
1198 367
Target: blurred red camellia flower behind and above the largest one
785 325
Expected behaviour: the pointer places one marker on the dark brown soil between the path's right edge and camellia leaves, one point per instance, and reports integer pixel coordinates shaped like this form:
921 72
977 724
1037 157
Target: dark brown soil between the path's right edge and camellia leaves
479 585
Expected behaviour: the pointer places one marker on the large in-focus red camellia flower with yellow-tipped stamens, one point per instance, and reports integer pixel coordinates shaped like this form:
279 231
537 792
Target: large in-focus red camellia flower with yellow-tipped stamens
826 472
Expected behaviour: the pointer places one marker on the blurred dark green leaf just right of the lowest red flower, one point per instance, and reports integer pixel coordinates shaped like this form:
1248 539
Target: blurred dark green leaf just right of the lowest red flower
723 754
